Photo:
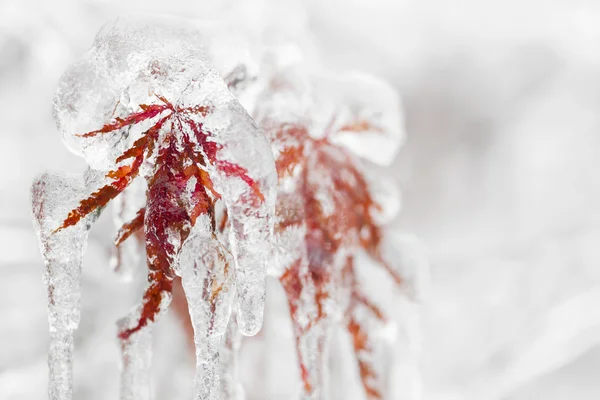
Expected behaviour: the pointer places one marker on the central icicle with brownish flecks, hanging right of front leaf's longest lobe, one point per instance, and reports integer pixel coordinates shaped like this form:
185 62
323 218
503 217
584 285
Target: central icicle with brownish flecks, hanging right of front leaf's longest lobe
207 278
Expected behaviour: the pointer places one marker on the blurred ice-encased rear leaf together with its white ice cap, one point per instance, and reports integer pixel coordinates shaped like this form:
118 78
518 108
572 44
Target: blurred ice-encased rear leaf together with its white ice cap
326 212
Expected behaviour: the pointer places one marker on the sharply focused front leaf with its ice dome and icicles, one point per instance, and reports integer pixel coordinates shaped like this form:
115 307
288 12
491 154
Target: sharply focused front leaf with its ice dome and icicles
144 103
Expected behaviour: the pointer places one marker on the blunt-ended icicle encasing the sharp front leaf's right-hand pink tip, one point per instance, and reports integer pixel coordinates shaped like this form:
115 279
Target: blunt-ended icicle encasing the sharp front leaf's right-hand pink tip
250 214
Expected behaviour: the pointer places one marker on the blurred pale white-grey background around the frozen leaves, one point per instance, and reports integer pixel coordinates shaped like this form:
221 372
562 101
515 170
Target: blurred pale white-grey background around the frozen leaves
500 177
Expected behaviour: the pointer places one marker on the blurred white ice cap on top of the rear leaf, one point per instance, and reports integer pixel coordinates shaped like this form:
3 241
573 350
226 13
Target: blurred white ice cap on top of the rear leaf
354 110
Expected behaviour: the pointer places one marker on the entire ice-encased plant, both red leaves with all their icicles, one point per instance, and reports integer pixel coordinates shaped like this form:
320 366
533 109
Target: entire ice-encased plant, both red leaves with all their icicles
200 189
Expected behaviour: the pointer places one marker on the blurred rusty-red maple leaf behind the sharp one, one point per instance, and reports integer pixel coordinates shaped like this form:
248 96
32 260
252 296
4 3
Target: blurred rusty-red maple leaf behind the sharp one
329 171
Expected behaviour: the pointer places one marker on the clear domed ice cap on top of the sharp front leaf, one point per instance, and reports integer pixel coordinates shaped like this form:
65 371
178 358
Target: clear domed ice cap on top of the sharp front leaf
130 59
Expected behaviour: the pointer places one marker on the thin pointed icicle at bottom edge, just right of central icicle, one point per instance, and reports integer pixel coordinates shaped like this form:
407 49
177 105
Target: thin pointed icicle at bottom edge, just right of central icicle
231 388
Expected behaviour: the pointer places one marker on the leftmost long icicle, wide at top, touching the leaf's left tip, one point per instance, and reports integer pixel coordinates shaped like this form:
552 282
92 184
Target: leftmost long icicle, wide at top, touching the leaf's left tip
53 194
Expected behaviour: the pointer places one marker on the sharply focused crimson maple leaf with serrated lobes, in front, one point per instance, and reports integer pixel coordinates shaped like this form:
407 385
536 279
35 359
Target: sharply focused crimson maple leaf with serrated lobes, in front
171 210
